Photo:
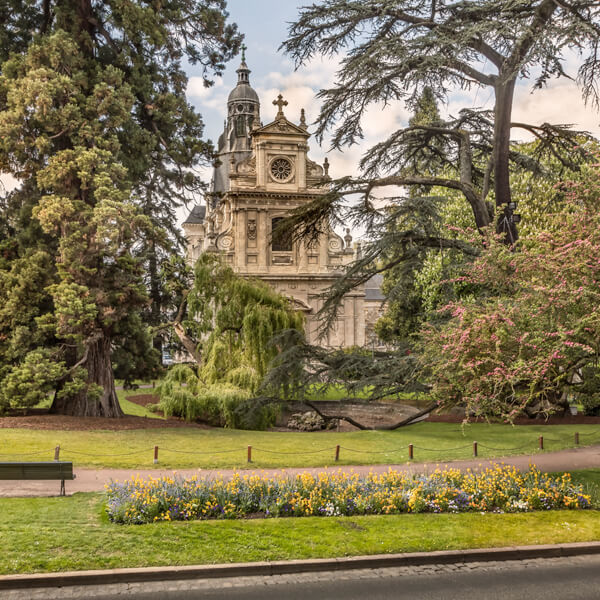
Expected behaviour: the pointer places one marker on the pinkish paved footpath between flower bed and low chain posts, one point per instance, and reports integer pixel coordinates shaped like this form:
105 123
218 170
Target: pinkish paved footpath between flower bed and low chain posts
91 480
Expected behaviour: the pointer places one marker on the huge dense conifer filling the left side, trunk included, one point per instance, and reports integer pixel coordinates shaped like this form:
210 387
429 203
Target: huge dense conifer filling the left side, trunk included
93 120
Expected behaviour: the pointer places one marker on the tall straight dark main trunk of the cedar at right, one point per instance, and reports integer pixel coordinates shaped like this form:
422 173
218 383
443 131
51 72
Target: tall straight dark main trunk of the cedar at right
505 90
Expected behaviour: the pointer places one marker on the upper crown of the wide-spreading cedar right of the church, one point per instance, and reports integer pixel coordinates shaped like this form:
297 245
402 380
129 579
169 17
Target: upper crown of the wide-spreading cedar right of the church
392 51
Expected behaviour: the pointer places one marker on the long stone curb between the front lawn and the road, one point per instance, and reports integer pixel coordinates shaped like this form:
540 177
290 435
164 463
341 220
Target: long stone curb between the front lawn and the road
380 561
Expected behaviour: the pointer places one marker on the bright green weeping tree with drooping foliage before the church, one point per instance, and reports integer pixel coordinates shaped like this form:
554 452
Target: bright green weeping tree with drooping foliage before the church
230 328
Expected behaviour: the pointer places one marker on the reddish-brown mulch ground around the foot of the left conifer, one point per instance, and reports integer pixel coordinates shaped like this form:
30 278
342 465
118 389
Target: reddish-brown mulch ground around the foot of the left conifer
40 419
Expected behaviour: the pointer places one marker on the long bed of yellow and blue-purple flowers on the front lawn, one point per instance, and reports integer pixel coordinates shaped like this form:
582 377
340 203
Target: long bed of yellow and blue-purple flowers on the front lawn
498 489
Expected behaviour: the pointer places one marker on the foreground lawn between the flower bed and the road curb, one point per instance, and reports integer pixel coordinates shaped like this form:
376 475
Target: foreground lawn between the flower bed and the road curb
73 533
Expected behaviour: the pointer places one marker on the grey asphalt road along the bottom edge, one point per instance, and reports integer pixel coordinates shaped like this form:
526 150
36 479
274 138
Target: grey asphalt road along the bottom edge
573 578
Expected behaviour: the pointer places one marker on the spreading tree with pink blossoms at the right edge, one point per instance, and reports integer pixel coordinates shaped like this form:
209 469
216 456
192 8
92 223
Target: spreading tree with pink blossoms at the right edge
532 336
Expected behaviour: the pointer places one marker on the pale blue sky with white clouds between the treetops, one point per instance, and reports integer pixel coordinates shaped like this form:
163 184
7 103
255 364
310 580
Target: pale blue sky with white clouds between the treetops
265 23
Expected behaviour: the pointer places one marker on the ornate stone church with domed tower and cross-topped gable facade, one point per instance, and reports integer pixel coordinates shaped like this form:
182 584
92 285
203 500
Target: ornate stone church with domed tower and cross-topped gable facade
262 173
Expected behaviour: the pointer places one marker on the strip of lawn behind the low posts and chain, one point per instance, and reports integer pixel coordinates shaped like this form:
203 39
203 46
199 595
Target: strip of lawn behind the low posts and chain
226 448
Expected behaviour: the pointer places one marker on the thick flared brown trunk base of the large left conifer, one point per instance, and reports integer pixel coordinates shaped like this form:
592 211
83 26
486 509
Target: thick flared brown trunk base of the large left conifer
99 369
